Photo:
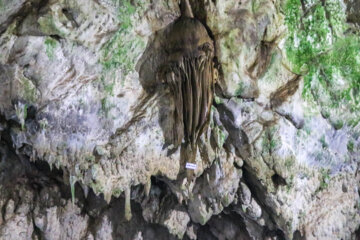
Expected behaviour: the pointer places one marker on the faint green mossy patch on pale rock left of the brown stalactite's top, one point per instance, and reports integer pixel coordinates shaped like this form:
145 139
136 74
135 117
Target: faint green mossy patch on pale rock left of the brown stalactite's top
125 46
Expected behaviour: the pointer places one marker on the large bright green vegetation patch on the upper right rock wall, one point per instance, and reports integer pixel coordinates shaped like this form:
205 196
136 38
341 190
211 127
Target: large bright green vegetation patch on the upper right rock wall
320 48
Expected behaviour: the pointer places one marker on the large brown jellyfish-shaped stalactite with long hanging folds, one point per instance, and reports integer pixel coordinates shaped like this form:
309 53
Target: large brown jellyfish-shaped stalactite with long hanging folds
190 74
